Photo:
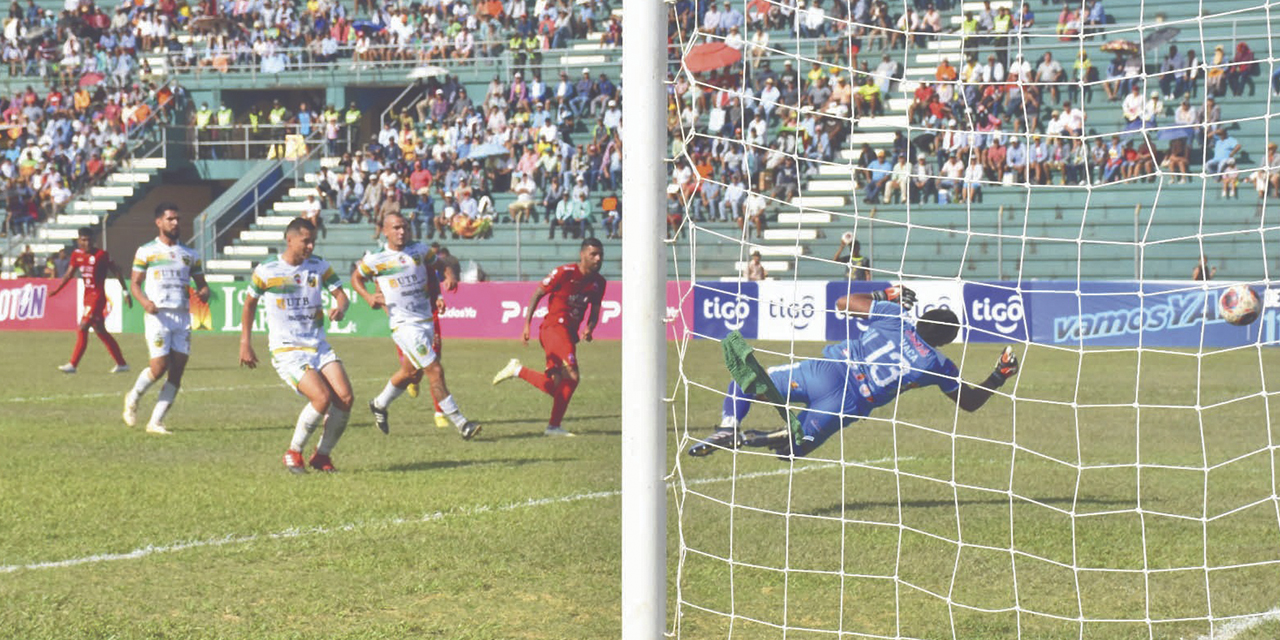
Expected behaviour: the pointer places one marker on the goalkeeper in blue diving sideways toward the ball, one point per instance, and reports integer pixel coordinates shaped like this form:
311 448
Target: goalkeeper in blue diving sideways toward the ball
853 378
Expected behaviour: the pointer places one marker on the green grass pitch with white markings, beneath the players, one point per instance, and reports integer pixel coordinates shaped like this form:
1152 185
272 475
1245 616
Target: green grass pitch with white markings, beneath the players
516 537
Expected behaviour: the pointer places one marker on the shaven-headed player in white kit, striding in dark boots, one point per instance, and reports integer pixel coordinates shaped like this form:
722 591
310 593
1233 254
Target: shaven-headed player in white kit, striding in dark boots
400 273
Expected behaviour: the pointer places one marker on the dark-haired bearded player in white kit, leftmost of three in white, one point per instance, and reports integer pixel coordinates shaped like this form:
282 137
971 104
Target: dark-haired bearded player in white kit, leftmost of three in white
162 271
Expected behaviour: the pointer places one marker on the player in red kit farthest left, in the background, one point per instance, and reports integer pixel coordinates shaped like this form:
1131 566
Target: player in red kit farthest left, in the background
94 266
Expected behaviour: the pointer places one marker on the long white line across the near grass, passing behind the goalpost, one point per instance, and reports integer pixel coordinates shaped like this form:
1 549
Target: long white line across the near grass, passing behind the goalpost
356 527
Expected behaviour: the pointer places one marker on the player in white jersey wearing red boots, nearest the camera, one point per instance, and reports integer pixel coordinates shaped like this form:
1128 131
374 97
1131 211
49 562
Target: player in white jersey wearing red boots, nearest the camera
291 290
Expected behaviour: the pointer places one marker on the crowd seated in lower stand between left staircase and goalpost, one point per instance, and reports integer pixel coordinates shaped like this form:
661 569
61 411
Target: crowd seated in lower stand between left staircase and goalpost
527 152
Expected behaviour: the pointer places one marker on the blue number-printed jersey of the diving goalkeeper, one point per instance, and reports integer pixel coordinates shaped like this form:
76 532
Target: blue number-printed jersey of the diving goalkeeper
889 359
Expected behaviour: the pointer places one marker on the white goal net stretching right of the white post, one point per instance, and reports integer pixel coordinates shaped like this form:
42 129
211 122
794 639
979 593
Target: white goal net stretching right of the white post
1077 182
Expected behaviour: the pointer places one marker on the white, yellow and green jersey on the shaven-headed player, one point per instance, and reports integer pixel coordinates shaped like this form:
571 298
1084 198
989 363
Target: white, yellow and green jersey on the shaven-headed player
401 277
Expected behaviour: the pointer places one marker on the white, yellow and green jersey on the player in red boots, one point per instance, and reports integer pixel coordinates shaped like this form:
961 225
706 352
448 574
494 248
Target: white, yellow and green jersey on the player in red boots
292 301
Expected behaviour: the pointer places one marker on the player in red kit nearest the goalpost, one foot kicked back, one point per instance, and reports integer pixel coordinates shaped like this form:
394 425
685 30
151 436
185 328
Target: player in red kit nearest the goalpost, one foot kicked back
573 289
